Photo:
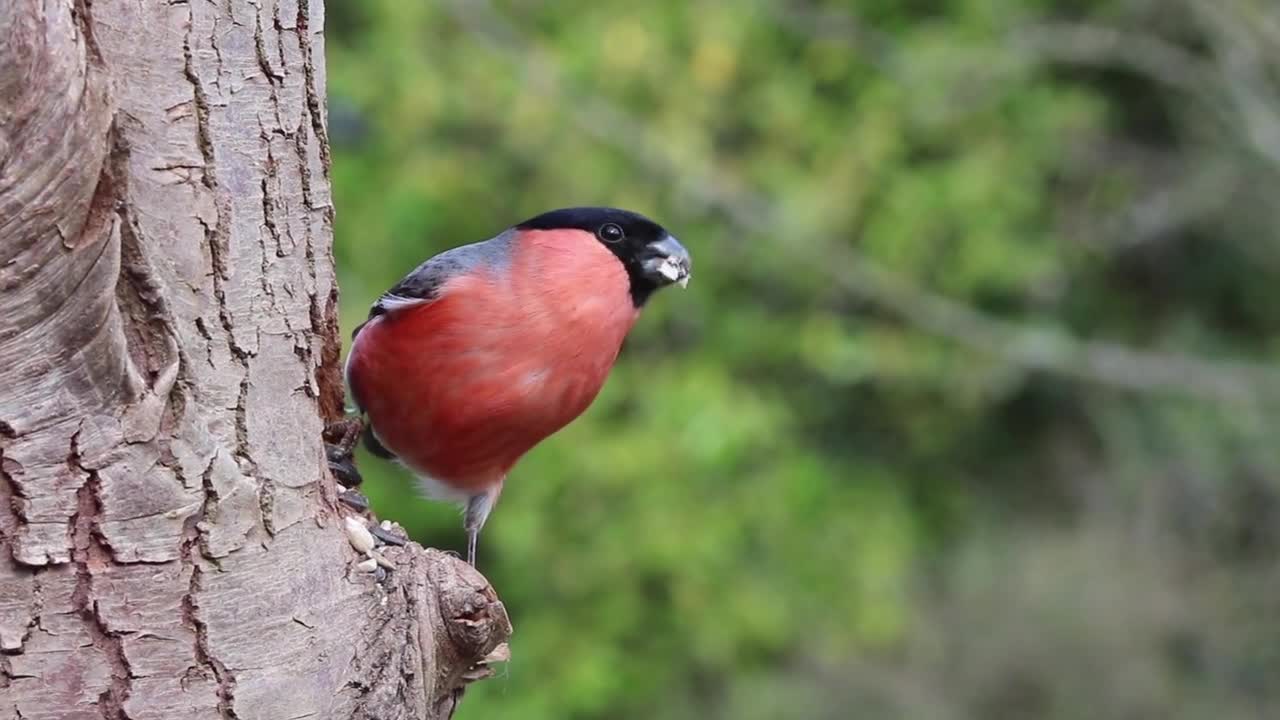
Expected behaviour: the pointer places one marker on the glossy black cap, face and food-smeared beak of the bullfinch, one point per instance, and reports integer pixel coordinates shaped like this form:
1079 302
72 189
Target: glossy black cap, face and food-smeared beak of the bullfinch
652 257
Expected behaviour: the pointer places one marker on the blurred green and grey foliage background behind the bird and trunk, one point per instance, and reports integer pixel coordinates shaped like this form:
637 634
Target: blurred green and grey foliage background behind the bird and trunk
971 408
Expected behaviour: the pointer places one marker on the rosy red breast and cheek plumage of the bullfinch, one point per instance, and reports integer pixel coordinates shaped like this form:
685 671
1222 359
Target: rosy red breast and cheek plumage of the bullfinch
460 388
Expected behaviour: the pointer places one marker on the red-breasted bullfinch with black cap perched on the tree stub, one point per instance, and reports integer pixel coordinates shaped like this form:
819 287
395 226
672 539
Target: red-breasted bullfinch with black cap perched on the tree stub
486 350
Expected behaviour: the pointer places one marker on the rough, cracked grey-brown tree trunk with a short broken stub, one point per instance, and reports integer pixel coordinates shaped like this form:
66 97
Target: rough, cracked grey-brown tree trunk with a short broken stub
170 539
